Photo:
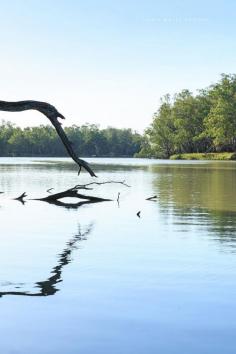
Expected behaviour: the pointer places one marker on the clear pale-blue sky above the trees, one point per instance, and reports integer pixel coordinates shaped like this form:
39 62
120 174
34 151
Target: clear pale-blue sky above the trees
109 62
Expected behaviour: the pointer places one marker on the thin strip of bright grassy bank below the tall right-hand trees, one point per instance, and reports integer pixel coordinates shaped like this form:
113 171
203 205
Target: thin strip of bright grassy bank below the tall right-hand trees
205 156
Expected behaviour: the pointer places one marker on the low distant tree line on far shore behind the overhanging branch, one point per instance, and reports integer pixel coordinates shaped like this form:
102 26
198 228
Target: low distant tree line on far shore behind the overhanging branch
88 140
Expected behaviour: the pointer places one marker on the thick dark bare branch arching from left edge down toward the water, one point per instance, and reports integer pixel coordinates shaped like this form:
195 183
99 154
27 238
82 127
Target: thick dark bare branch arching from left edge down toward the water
52 114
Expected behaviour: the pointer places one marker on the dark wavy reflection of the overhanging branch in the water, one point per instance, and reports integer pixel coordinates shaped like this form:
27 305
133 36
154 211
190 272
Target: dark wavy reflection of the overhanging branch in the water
48 286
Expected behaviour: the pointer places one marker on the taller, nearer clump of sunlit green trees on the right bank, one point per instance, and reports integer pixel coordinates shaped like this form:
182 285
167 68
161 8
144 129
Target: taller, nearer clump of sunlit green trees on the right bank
189 123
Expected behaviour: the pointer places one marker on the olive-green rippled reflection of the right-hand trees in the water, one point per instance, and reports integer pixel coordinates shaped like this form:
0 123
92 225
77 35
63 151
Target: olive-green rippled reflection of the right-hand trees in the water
201 197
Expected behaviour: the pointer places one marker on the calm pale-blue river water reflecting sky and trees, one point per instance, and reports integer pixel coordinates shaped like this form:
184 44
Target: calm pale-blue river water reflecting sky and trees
98 279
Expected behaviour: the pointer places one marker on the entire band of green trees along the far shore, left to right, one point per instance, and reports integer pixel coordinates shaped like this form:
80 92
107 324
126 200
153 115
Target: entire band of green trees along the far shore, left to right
187 123
